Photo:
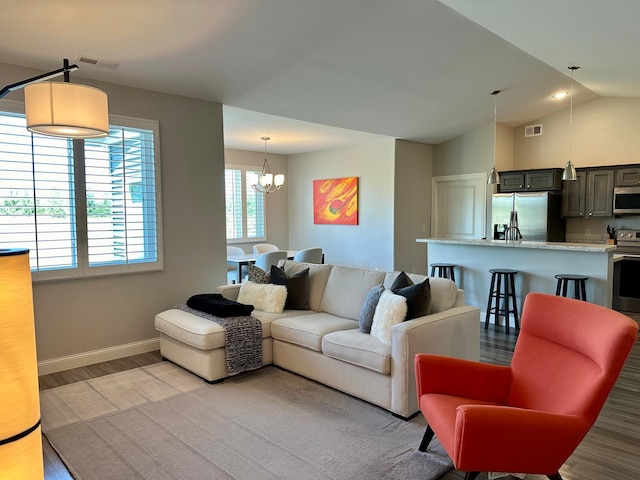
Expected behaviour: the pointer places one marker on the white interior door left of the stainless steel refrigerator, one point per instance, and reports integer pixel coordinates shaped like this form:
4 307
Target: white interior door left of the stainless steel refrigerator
459 206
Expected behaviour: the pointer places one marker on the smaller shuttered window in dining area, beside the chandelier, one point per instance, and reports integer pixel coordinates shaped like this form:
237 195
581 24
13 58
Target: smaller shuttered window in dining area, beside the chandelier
244 206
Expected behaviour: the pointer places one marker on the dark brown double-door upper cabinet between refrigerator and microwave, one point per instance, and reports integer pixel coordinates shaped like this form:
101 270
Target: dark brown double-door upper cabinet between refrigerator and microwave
591 195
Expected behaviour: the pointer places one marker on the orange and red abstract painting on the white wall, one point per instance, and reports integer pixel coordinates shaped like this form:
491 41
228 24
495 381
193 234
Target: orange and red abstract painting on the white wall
335 201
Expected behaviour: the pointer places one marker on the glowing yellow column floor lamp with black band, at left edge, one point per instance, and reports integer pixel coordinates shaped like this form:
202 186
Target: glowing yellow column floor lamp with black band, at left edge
20 434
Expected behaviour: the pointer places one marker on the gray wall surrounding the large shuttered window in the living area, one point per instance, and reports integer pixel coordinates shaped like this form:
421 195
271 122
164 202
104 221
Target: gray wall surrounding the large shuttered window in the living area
82 315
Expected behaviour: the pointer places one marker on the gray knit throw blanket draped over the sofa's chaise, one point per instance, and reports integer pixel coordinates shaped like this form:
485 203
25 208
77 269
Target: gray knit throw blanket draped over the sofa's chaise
243 340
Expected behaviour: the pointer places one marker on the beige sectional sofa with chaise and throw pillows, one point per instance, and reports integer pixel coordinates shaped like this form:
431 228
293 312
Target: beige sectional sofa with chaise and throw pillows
325 343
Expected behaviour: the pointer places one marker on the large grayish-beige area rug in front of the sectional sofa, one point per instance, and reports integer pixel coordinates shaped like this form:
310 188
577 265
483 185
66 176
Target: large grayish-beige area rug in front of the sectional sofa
160 422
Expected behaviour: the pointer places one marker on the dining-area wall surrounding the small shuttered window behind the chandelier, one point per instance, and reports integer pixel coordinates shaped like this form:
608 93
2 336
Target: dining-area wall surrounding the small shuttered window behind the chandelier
277 209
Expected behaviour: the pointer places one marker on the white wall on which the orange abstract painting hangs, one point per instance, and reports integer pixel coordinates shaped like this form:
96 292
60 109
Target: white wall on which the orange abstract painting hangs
368 244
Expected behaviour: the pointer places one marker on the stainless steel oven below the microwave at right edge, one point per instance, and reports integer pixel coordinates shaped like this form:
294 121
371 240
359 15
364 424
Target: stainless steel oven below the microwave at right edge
626 271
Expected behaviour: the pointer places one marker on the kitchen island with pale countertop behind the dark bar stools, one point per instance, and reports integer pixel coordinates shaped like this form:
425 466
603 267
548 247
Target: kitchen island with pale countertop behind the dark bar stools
536 262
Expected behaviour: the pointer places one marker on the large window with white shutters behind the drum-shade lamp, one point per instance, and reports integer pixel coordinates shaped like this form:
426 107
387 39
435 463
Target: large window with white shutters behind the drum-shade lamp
82 207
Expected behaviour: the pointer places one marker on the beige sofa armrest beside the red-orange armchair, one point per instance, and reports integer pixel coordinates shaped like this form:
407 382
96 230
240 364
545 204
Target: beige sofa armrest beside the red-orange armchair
454 332
